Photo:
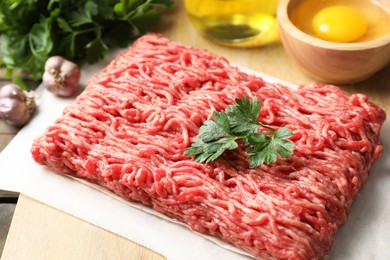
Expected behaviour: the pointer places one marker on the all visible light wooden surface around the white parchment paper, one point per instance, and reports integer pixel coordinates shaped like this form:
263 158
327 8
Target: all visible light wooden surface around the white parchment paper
39 231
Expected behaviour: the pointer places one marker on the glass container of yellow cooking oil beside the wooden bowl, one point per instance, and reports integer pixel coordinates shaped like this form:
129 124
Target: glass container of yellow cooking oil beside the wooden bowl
238 23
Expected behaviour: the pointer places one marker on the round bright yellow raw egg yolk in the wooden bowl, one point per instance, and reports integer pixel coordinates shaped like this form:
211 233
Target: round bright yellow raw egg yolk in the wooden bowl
339 24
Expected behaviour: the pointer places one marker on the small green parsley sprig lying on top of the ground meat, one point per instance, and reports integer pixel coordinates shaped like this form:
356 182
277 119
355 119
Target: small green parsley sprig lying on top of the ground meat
240 123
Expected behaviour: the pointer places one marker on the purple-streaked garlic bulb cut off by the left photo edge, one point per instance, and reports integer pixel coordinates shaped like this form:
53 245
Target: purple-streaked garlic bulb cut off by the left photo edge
16 105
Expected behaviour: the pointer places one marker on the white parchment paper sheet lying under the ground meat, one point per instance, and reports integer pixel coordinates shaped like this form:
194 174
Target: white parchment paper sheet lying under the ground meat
366 235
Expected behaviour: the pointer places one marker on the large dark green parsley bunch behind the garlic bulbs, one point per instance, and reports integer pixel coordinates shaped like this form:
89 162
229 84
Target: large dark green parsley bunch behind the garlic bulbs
78 30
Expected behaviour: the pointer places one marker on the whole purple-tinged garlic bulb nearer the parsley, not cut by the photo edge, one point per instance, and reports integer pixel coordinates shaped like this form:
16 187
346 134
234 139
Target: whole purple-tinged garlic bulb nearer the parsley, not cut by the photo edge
61 77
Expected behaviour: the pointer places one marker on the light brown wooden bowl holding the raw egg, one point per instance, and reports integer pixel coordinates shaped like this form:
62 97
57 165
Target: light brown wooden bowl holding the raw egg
332 62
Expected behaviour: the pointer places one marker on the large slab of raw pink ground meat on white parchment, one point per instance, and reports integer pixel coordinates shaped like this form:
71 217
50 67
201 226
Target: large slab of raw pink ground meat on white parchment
128 130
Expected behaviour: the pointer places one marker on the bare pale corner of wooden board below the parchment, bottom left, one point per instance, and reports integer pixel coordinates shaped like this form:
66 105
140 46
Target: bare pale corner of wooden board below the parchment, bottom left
42 232
